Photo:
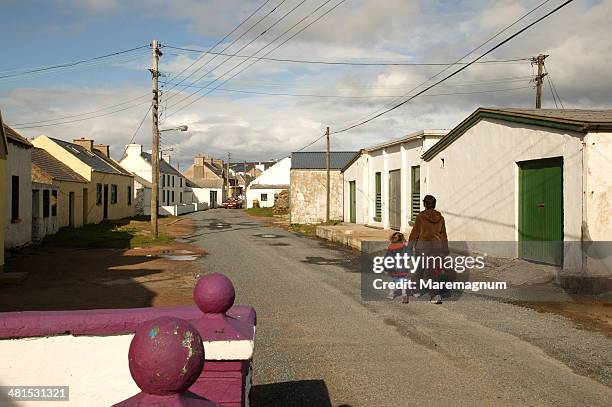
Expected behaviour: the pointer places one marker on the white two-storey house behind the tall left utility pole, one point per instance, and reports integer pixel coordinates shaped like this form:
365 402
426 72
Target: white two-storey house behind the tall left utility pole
172 184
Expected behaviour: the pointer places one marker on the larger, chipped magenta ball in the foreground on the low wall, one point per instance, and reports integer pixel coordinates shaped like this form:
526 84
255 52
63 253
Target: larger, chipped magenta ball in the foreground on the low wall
166 356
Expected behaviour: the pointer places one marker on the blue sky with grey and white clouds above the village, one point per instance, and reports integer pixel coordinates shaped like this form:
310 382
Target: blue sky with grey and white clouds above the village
273 108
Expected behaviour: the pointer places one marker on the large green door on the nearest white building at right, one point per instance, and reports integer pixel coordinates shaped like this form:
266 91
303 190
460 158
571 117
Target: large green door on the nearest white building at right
541 210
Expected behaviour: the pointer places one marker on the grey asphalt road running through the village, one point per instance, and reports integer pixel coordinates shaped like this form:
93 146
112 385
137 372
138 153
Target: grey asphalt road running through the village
318 344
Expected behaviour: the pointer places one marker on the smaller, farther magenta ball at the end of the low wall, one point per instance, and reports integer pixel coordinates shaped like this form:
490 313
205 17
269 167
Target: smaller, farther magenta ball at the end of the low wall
214 293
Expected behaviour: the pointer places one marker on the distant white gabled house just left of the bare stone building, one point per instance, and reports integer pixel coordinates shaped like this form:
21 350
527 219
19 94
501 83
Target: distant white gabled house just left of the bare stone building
272 181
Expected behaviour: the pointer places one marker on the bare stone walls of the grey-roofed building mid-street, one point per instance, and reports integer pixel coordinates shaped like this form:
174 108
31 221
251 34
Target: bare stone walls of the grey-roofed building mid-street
308 196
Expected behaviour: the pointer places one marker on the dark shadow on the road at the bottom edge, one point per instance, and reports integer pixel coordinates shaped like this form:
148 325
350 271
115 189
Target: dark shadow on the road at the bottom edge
300 393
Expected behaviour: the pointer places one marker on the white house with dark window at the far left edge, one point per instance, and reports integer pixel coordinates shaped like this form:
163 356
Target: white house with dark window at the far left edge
18 216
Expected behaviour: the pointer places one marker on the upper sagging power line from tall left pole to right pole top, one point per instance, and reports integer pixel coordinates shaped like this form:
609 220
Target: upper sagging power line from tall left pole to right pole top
351 63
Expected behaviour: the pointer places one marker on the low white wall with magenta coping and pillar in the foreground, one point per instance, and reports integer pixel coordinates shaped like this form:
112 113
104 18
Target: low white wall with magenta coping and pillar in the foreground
87 351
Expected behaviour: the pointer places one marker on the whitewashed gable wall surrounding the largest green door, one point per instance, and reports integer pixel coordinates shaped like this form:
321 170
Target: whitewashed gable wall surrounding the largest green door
475 180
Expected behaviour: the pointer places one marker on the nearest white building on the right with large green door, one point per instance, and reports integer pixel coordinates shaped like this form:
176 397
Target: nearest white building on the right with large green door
537 179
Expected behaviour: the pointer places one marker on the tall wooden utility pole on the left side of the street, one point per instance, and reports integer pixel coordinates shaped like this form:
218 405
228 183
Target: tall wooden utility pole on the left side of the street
155 141
